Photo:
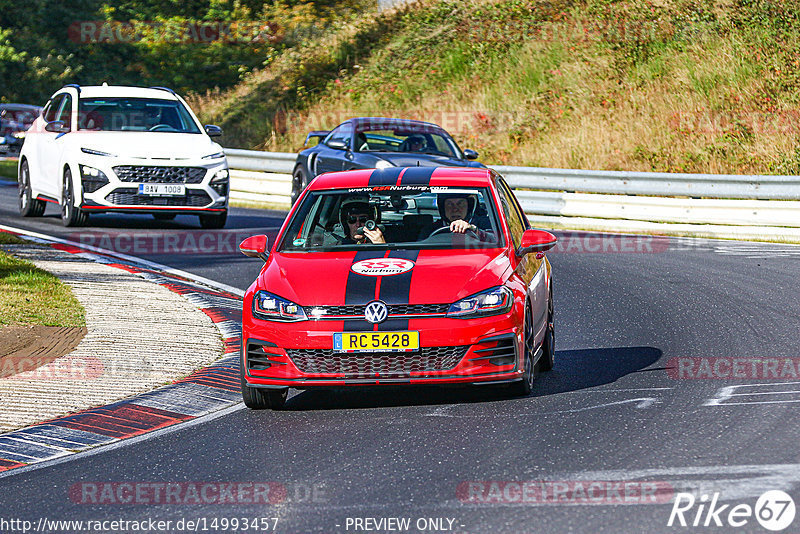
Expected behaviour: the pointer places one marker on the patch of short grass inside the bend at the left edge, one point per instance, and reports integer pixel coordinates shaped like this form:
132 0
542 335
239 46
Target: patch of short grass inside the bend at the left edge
29 295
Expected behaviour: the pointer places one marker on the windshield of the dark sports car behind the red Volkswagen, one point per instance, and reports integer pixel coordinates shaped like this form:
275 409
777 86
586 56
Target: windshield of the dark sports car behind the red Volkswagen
416 138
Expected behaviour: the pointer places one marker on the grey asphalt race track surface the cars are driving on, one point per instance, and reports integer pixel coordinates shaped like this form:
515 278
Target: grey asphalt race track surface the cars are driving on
621 413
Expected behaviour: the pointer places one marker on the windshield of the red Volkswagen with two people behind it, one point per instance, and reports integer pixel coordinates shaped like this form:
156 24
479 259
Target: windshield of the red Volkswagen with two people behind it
405 217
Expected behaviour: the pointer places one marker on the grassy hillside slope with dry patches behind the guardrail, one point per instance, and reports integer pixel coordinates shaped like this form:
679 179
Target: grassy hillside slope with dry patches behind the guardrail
667 85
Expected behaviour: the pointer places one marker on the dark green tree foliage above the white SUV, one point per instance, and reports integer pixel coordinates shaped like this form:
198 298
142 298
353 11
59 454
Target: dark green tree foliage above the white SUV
41 47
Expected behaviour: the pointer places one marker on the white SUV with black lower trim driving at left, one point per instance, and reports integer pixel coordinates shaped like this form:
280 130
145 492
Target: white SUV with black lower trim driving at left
122 149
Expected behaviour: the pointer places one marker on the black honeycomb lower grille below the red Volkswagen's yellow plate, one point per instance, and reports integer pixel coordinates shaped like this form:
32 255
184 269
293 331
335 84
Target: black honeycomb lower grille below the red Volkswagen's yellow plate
381 363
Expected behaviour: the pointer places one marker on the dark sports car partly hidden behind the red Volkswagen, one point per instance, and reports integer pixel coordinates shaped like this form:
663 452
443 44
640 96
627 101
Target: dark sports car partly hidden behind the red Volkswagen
377 143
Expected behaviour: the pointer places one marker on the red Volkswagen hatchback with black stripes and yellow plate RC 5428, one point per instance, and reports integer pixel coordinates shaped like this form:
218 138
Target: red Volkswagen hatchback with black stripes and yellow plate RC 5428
413 275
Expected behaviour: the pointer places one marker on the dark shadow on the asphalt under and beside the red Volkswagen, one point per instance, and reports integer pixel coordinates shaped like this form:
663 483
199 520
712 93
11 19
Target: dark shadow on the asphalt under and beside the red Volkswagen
574 370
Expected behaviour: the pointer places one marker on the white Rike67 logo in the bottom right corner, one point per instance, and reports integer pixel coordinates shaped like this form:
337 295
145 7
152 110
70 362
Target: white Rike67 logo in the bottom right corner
774 510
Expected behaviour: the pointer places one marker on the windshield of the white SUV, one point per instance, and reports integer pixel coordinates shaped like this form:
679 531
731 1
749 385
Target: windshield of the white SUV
135 115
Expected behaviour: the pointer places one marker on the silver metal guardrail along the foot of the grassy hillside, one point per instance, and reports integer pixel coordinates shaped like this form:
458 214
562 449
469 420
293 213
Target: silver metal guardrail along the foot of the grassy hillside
736 206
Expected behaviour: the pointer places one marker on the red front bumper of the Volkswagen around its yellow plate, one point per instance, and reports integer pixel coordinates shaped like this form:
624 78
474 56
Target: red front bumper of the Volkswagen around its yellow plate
452 351
